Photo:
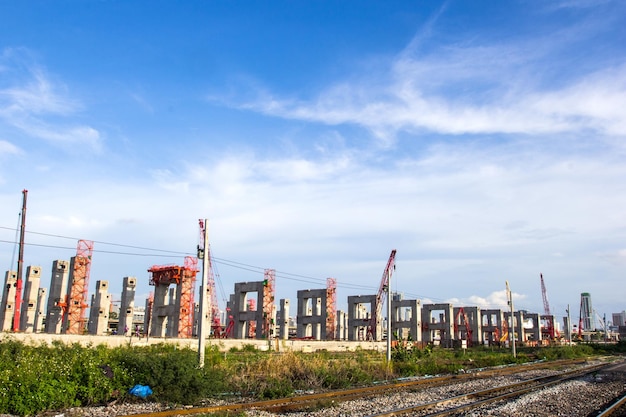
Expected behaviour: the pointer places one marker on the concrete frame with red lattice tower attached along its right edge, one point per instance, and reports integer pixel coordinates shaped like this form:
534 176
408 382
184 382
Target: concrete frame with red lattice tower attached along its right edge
312 315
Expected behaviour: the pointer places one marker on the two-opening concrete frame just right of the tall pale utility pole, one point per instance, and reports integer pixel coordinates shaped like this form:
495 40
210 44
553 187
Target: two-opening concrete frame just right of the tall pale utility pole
247 323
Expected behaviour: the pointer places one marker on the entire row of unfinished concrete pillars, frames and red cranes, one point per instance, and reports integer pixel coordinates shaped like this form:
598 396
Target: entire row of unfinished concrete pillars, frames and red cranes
173 309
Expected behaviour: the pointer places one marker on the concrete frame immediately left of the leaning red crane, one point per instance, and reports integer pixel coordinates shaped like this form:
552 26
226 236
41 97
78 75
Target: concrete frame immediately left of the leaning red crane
362 325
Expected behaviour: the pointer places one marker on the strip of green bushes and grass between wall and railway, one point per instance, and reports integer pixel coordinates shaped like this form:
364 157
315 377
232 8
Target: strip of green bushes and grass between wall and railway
39 378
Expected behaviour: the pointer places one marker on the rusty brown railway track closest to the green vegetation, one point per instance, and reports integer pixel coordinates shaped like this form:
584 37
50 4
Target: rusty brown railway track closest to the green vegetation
320 399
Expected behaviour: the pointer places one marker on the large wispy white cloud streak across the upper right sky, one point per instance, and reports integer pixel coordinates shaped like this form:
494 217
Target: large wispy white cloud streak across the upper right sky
471 87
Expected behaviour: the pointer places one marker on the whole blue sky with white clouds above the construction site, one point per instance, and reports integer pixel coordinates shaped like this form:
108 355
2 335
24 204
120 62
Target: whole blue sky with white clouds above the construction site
482 140
